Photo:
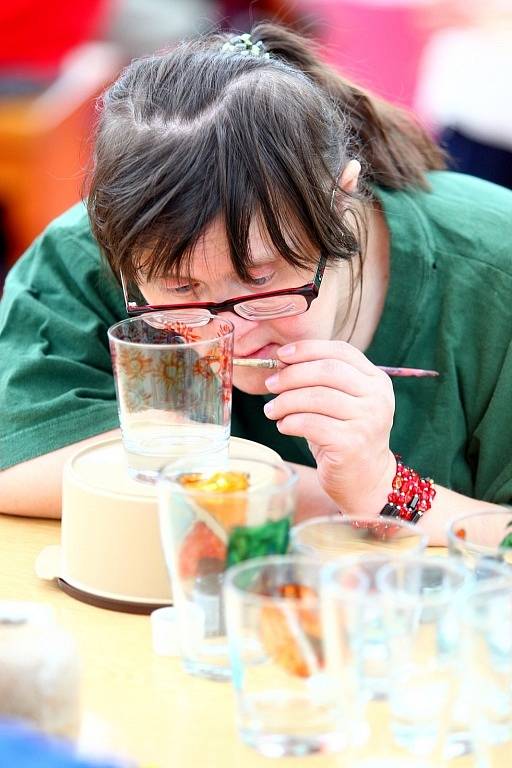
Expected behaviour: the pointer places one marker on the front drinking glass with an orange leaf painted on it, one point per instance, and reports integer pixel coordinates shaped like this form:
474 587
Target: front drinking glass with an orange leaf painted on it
286 702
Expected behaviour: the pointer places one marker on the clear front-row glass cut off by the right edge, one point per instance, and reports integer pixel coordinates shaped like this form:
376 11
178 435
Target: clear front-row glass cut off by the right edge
487 659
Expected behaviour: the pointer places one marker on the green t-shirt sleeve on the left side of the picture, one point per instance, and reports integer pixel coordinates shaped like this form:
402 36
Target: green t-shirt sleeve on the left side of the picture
56 383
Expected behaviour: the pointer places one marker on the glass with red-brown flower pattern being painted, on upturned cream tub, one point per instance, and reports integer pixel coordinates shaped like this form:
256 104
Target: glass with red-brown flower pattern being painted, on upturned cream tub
173 386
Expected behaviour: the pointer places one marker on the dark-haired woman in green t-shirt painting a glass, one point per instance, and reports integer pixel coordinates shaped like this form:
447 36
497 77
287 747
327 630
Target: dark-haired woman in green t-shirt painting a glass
234 166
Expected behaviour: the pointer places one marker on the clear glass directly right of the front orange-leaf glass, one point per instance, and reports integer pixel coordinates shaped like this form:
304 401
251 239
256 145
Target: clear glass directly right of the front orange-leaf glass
422 632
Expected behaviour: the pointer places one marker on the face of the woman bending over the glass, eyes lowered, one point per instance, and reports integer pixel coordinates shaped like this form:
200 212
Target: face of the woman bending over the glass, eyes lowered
212 278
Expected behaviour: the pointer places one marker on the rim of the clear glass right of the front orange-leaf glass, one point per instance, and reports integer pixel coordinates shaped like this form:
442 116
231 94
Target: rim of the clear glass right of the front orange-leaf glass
401 594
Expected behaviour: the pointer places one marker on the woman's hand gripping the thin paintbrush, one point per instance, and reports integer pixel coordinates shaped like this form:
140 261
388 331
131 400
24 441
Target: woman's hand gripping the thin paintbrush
332 395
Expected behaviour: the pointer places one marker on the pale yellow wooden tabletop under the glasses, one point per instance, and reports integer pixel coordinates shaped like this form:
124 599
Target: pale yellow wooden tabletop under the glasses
136 704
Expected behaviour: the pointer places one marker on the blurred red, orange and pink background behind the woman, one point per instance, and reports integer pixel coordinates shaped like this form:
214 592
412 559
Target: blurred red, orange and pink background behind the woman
448 61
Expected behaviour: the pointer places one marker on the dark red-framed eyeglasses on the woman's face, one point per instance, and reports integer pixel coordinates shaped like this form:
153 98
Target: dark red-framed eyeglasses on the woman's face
260 306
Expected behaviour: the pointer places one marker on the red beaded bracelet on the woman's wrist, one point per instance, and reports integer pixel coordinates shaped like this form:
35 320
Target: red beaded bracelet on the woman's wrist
411 496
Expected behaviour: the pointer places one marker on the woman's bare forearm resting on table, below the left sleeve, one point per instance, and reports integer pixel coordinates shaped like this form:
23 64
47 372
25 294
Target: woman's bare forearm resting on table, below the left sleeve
34 488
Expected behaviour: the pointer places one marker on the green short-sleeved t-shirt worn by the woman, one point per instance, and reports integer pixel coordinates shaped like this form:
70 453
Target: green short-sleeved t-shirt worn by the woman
449 307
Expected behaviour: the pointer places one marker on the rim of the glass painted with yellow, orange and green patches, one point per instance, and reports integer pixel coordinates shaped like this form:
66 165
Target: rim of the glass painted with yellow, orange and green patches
289 481
